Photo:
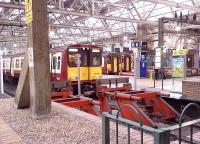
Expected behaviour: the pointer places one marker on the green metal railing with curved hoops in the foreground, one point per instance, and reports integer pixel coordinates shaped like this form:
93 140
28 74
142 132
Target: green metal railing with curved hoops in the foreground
160 135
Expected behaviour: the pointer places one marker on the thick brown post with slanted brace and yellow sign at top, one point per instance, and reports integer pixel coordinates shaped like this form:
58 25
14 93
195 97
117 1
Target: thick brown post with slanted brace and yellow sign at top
38 60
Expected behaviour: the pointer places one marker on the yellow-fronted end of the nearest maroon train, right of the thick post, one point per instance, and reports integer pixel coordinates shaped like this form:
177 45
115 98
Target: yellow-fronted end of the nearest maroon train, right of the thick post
90 68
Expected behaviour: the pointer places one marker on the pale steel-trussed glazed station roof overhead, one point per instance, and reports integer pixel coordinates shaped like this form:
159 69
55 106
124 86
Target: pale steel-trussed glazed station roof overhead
87 21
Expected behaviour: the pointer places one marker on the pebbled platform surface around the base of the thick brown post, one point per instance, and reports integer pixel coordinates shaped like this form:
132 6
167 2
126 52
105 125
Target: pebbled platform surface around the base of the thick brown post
64 126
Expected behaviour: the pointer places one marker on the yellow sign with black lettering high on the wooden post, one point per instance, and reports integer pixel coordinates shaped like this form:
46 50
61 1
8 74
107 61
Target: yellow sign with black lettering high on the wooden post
28 11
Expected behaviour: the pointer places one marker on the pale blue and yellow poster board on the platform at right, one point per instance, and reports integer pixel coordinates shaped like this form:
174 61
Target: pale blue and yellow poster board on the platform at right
178 66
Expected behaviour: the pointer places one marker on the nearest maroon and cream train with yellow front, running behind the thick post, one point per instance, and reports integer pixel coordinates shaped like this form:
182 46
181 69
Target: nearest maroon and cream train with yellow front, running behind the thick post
63 65
